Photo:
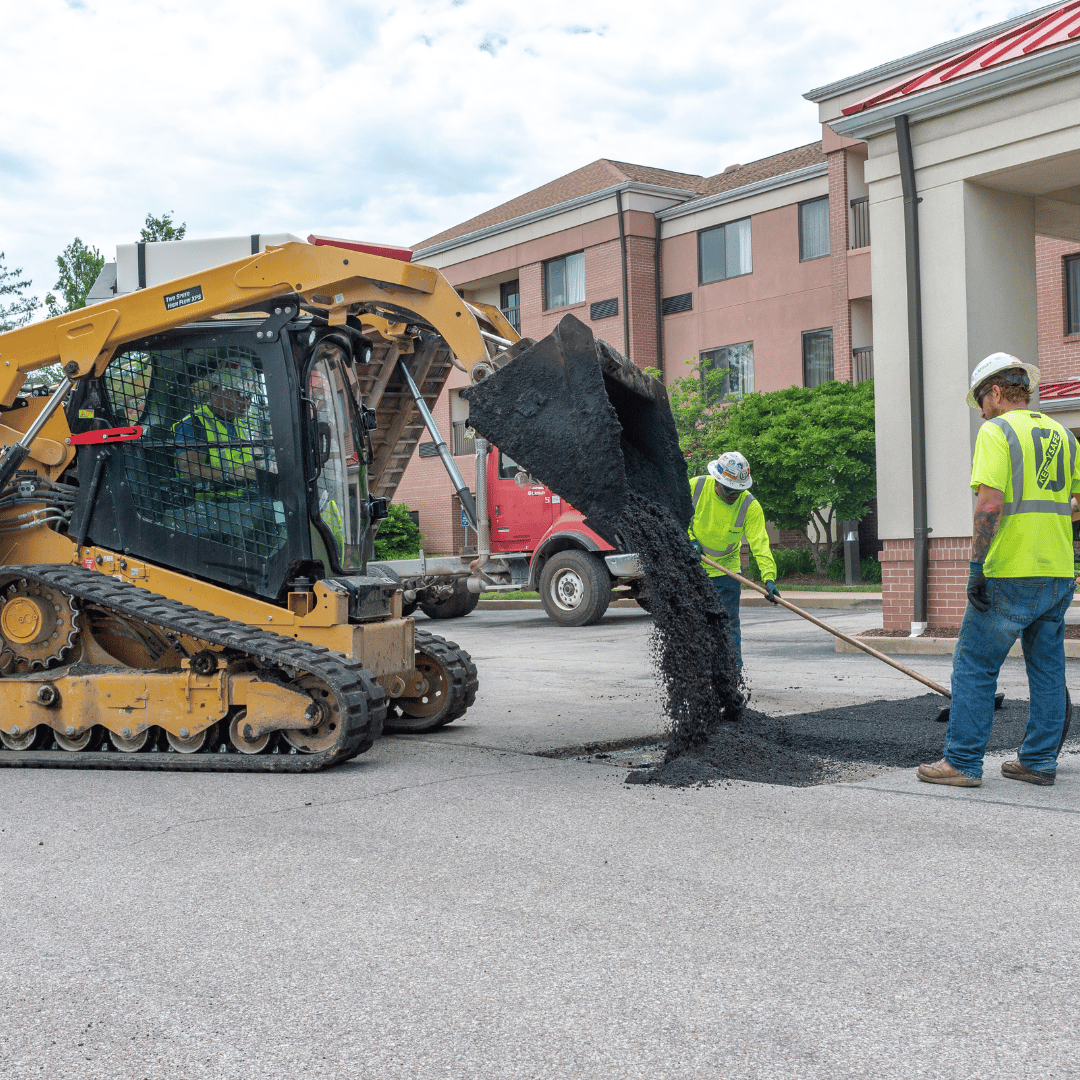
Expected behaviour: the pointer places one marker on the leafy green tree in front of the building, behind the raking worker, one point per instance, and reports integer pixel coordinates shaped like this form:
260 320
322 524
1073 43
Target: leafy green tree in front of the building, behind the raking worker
812 451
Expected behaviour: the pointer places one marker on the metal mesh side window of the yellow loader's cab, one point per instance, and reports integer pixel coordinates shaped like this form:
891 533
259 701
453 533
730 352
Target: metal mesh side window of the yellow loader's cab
206 465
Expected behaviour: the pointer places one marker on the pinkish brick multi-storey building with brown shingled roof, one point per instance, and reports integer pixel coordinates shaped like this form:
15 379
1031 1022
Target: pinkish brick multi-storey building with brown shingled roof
764 268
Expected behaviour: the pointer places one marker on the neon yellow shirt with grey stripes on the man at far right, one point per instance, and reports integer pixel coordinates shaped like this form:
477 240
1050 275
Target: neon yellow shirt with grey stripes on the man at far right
1034 461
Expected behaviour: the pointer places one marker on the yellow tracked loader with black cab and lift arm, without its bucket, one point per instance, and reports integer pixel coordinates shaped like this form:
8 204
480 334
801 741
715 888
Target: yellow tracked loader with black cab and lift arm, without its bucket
186 520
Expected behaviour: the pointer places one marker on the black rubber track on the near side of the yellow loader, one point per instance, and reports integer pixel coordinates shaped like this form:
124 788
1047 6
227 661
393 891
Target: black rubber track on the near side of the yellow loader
363 701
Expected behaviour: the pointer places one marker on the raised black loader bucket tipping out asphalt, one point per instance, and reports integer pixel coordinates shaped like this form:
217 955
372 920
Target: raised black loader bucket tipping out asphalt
588 424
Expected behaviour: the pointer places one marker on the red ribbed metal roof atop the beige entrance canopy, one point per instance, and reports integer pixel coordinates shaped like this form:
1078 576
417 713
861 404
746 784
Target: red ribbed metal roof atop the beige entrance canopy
1046 32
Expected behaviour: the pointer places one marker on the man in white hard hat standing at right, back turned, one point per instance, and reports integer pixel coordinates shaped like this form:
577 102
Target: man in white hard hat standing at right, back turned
1021 580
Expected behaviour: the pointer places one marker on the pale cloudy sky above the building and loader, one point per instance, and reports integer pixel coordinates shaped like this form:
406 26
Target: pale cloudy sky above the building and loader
394 121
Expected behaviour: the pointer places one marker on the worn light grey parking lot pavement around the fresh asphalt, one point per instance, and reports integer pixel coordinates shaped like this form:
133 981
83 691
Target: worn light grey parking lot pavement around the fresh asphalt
463 906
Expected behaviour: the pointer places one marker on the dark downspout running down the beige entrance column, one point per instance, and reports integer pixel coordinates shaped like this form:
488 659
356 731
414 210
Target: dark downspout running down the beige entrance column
915 375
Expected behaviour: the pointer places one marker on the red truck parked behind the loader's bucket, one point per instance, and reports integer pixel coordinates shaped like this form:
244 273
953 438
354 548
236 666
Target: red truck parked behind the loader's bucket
528 538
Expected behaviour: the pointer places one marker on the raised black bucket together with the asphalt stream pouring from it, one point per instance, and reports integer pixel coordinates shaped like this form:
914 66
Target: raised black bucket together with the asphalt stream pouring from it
600 434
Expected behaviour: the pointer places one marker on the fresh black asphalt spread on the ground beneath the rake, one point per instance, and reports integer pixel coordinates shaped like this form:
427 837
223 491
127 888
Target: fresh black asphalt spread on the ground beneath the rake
818 748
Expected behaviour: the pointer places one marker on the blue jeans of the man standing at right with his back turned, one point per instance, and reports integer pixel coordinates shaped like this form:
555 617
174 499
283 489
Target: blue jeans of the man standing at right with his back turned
1034 610
